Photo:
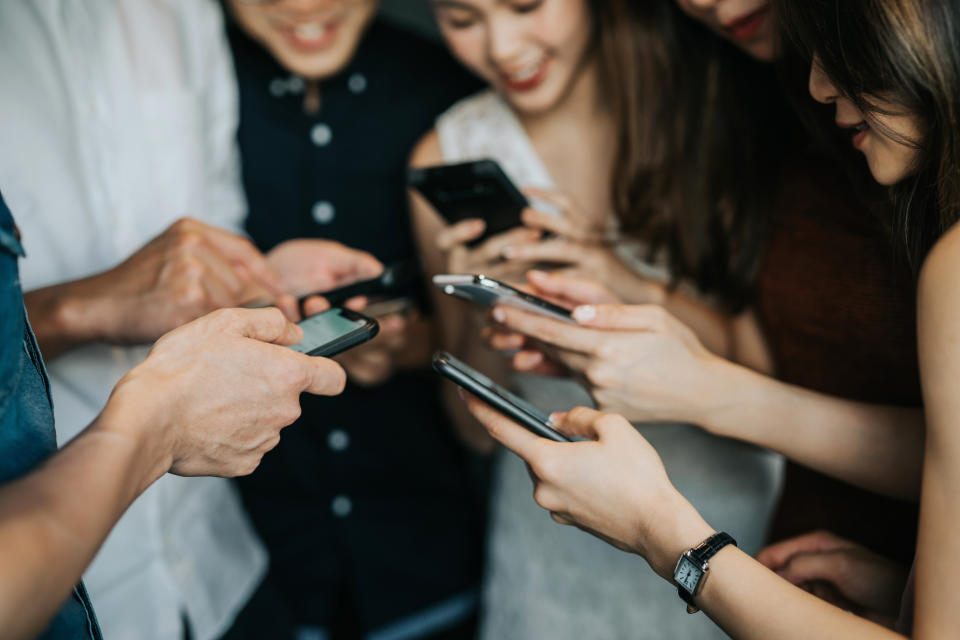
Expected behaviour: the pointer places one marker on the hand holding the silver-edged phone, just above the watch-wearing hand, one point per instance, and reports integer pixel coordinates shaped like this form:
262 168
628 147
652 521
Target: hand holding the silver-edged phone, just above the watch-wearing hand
637 360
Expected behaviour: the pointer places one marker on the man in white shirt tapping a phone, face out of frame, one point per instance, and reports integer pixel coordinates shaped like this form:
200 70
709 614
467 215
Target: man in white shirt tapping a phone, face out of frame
119 121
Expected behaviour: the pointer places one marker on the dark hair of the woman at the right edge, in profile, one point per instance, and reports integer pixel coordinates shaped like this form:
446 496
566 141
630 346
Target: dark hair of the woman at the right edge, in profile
906 52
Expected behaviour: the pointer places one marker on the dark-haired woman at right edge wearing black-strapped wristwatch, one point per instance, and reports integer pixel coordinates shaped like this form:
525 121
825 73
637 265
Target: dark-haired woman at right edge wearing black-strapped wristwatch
891 69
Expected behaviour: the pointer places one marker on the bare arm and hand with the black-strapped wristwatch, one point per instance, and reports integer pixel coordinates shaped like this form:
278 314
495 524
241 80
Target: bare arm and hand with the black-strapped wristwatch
614 486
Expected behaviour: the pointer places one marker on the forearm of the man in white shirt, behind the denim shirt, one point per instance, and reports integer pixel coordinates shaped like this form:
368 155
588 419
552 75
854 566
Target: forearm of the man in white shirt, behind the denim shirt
65 316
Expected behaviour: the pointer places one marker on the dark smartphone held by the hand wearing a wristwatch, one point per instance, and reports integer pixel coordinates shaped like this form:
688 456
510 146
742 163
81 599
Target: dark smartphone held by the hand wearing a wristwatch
508 404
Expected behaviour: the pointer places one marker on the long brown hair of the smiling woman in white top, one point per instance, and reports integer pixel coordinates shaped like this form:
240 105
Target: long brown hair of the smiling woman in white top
696 165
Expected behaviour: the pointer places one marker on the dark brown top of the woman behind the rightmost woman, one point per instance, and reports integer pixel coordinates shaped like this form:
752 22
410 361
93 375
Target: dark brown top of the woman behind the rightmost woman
838 309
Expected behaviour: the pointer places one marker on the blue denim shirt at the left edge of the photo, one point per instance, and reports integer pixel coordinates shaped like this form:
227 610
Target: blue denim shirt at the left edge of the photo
26 411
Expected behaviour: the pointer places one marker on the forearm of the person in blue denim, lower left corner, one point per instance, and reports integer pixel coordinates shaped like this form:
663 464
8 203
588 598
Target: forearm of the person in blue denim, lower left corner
53 520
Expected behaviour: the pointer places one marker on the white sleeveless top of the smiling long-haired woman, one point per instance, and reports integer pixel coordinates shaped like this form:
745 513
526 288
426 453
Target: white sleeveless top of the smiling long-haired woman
548 581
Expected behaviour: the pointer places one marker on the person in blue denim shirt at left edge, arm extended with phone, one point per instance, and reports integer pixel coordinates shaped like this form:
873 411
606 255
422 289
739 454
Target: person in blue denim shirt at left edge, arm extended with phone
209 400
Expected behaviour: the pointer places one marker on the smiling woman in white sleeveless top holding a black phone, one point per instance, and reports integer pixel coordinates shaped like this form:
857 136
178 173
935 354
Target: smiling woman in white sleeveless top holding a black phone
557 119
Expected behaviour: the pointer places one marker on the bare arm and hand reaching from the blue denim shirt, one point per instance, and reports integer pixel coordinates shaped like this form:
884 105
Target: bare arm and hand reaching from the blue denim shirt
209 400
